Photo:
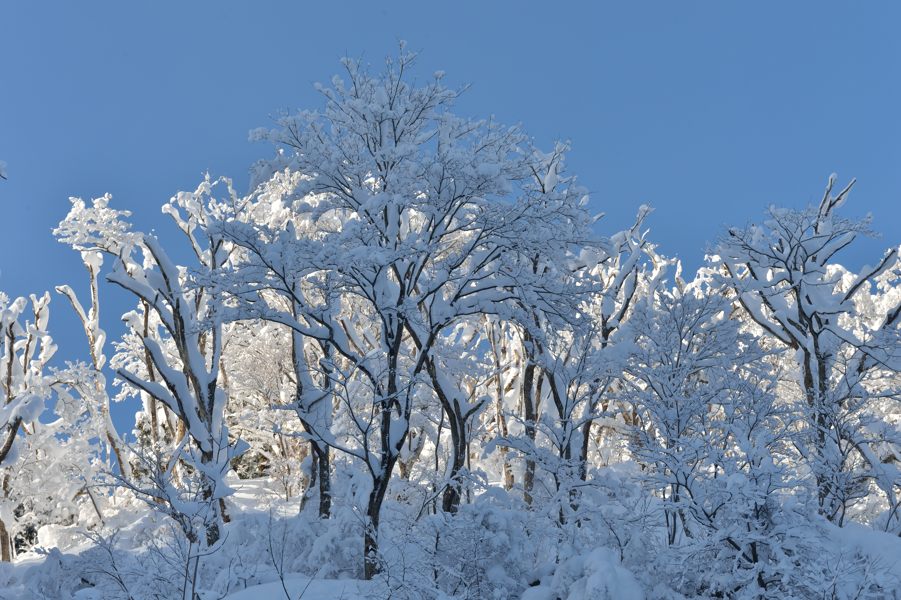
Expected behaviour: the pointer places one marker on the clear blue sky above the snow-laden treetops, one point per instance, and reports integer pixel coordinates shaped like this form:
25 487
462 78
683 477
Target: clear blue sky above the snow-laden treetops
707 111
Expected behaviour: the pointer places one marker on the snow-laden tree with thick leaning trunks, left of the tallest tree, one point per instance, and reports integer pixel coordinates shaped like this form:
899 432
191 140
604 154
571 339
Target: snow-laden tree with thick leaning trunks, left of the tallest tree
189 320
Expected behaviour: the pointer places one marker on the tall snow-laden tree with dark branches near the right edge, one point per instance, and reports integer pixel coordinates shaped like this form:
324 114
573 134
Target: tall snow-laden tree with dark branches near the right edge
785 278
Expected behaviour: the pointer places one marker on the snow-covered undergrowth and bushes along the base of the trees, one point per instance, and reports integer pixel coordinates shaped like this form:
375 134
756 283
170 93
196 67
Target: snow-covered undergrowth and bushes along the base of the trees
491 549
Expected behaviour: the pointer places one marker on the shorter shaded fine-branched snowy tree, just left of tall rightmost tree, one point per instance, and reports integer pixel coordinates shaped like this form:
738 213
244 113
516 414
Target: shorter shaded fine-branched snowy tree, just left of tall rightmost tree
709 435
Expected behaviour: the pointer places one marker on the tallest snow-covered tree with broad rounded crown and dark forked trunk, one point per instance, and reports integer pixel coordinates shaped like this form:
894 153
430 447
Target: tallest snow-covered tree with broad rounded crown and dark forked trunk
420 219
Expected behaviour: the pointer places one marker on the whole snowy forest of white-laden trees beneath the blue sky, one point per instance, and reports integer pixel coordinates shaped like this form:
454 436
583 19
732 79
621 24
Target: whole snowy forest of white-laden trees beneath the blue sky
412 361
